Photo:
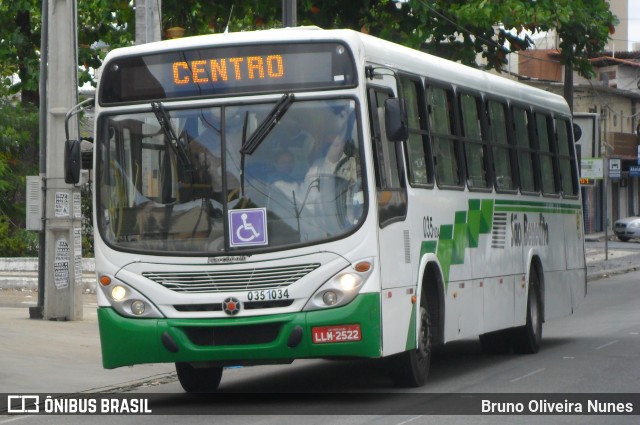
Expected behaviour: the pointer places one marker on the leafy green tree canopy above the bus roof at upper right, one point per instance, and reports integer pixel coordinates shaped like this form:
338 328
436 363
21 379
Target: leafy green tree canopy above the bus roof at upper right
460 29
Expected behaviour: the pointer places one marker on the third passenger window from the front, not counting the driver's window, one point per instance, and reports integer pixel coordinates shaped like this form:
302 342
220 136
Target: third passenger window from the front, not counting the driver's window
474 142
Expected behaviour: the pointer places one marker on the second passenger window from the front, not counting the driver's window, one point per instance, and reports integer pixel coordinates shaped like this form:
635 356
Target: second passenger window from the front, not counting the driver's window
445 144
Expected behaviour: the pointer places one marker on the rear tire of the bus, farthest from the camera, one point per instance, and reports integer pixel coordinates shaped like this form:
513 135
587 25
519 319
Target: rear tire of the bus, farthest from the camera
527 338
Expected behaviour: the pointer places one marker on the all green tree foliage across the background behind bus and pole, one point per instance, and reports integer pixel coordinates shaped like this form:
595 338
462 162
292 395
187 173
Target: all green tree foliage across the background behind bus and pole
455 29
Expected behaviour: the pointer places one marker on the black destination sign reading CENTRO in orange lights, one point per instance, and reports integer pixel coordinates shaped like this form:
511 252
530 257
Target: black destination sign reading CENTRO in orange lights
228 70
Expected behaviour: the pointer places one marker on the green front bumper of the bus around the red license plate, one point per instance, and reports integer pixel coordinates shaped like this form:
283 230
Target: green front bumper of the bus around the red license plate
128 341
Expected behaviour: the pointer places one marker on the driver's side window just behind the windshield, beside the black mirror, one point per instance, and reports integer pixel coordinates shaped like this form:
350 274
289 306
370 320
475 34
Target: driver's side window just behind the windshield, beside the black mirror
390 184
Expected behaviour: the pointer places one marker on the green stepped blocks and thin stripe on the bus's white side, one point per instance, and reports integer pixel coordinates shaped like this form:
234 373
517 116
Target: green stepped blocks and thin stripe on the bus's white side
477 220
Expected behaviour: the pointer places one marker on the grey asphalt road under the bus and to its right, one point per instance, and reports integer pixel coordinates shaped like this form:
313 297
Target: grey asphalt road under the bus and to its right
595 350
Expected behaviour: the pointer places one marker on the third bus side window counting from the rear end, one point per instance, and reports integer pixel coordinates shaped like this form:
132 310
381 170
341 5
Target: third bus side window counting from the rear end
525 151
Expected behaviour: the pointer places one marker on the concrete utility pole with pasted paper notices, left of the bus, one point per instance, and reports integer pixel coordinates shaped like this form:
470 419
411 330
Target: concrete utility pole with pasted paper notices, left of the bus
62 218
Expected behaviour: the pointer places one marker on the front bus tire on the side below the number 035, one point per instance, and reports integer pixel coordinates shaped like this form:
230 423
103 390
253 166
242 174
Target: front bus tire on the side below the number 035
411 368
